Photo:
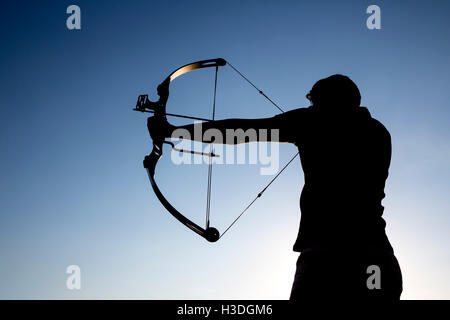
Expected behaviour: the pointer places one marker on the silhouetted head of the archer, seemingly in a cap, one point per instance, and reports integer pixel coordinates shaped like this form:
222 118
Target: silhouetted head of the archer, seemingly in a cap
335 93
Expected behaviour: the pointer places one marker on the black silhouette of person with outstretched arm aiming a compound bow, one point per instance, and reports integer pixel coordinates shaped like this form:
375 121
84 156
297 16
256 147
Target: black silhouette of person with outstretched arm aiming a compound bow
345 155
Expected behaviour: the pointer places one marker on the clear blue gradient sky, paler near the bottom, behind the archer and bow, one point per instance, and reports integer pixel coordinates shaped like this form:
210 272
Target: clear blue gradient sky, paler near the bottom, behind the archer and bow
72 187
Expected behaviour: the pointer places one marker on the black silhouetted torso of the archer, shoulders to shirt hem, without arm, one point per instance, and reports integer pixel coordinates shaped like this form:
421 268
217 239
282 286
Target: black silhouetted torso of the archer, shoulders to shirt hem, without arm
345 159
